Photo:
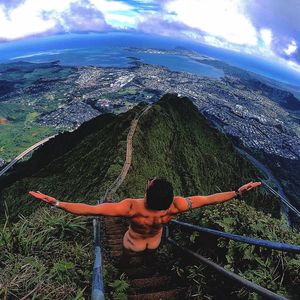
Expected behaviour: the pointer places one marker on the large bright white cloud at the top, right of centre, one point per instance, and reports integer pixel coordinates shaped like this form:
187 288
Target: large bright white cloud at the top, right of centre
223 19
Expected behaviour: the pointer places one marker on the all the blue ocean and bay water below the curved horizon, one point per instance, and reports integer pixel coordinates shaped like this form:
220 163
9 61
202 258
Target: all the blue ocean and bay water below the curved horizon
108 49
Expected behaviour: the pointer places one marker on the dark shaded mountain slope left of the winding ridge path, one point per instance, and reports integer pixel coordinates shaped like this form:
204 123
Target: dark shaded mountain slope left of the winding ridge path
75 166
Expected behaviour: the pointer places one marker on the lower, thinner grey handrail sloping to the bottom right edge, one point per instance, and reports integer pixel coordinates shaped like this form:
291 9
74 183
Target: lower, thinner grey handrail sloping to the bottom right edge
248 284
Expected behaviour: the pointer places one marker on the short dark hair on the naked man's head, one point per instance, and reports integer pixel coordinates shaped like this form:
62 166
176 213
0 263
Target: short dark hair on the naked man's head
159 195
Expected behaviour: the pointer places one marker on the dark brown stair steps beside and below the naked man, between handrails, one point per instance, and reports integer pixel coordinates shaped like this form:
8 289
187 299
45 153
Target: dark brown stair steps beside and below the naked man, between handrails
148 278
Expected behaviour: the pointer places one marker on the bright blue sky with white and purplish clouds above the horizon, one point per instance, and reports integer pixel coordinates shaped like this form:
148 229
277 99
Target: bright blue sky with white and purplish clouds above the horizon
265 28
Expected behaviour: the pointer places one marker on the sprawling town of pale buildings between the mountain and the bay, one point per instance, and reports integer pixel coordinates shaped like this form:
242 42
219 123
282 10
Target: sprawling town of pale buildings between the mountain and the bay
256 120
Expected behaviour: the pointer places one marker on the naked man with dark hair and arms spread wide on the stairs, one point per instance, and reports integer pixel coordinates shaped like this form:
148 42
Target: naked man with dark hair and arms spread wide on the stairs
149 214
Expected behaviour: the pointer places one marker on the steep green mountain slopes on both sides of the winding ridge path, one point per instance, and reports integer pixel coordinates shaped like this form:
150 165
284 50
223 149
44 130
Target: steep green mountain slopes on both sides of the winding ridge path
172 140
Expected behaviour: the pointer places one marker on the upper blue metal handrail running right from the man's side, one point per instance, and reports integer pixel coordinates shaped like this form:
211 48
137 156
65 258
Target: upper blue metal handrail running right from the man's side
240 238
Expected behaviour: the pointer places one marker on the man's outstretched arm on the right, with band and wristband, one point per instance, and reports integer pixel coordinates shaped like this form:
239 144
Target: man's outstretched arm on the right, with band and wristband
185 204
